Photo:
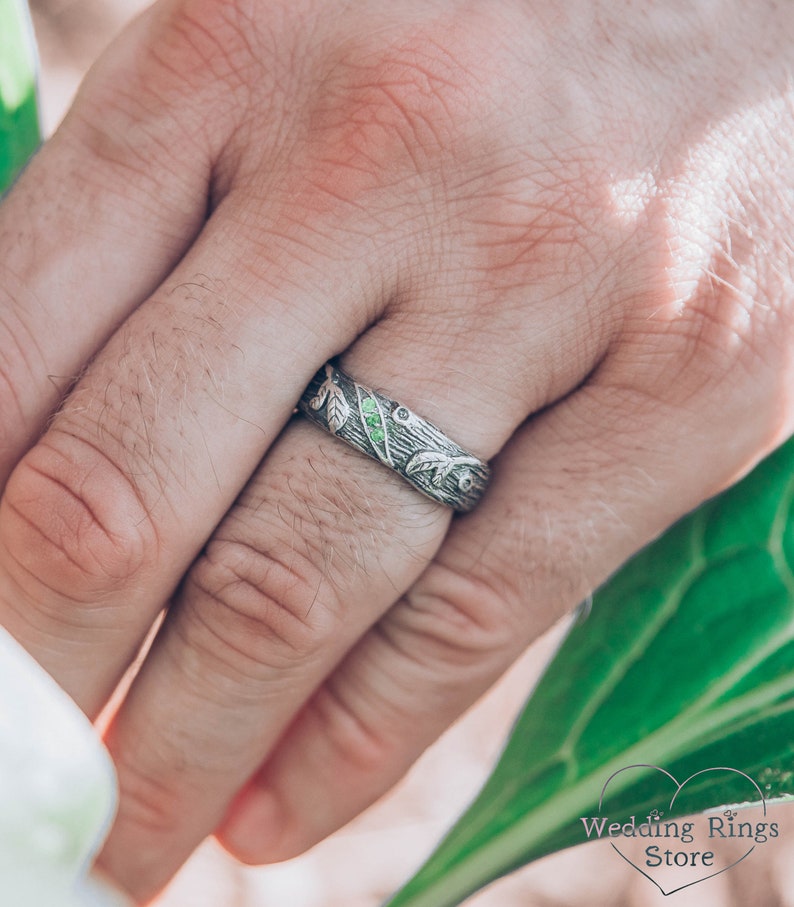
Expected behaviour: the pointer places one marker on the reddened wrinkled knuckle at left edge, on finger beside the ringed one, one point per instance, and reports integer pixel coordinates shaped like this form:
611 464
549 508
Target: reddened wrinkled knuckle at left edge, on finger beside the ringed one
73 523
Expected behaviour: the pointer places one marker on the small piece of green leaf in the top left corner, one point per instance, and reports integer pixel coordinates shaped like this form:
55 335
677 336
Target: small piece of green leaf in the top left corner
19 123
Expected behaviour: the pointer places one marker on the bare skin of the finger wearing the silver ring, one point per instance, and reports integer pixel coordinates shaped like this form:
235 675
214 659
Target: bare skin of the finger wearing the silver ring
323 541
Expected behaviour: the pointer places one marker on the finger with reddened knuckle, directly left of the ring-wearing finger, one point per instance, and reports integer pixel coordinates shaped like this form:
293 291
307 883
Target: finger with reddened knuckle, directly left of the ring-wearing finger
102 517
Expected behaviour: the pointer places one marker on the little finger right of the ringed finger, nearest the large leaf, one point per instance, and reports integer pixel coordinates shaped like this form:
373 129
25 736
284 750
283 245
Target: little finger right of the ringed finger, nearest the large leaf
575 493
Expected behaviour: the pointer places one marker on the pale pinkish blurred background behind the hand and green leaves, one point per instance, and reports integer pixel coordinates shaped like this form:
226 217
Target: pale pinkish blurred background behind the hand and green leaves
361 864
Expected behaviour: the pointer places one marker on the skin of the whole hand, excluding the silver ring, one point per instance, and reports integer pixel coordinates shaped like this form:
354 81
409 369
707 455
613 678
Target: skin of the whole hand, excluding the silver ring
561 232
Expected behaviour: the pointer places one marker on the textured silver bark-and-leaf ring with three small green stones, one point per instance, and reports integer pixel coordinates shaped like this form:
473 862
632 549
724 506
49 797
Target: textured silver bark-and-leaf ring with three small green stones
391 433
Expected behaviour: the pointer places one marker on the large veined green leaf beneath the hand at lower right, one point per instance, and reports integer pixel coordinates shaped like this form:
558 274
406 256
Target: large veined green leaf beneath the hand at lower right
686 662
